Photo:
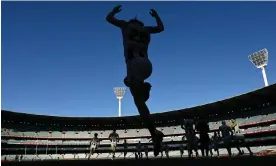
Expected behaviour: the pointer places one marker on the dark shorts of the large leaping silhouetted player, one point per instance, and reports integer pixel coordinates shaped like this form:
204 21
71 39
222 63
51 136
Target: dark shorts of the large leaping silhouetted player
138 69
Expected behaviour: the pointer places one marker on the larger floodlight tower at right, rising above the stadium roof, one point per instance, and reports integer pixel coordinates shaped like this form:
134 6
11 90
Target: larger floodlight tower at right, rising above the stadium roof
260 60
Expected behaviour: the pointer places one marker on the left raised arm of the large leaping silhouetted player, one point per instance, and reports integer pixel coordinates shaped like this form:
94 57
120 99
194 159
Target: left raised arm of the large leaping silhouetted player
114 21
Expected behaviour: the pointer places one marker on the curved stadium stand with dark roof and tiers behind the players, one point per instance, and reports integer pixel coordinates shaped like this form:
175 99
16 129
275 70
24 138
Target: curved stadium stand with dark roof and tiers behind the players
30 137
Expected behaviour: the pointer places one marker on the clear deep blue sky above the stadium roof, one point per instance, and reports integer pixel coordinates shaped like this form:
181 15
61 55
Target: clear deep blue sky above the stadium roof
63 58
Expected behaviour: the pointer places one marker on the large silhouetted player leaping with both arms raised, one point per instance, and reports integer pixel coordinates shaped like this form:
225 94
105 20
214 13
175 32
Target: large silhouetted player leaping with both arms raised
136 39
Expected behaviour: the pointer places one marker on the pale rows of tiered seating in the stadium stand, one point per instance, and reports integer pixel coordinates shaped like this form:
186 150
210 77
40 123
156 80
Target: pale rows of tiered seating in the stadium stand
42 137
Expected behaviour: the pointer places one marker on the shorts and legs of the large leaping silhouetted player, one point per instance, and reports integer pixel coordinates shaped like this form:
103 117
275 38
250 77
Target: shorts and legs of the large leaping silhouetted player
137 71
